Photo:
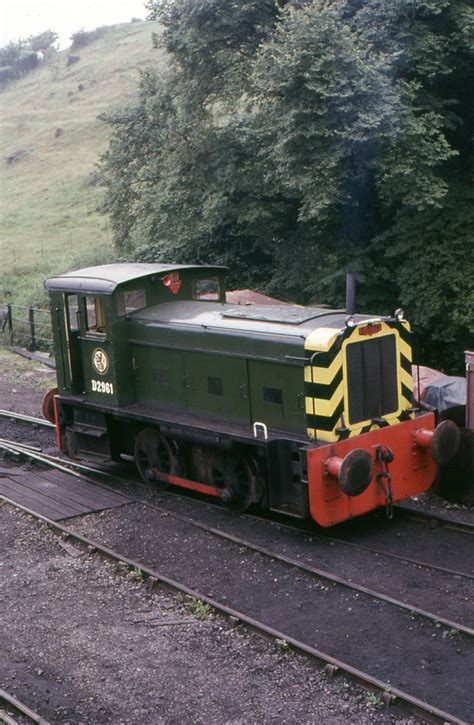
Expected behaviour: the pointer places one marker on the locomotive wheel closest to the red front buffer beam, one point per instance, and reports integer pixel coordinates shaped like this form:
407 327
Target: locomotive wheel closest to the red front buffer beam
238 479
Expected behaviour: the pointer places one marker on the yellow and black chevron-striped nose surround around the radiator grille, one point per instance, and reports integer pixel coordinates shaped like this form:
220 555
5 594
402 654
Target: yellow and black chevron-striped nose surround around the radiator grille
326 383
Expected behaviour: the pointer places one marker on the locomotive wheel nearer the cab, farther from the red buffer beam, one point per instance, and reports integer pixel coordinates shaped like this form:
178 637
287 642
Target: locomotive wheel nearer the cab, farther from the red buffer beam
154 454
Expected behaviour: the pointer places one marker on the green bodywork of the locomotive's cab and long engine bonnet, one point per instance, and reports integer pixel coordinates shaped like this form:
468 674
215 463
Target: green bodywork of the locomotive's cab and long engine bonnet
163 355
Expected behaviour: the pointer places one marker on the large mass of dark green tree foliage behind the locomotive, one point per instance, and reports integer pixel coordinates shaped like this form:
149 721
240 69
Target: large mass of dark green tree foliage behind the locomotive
293 140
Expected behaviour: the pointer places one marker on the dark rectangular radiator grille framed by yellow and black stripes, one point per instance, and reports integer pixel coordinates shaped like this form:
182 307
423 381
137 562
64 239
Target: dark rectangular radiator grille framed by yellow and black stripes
372 378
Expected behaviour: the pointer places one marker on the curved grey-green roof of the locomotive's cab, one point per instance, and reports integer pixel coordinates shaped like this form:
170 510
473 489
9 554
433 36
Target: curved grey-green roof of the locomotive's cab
105 278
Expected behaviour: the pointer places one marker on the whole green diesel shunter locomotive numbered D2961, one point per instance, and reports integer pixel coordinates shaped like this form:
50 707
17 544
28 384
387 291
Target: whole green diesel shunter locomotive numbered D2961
302 410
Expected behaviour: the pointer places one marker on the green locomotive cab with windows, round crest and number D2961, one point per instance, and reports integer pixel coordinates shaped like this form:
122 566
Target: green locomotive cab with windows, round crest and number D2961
91 309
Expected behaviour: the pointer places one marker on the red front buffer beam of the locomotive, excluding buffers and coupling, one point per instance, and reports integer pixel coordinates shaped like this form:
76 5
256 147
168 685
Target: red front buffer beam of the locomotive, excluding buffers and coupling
412 470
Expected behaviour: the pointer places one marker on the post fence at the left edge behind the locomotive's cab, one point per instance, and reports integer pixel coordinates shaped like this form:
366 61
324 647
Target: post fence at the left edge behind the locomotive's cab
28 327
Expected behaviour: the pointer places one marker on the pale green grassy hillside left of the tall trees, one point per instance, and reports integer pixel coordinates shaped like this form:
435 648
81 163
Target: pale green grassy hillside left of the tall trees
50 142
